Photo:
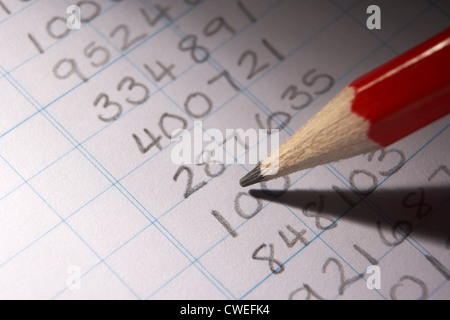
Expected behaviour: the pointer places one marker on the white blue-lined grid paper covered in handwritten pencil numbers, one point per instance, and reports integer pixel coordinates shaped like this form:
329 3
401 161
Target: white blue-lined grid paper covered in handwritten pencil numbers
93 207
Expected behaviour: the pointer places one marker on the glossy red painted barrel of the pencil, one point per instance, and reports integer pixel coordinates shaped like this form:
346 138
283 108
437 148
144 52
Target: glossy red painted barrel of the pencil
406 93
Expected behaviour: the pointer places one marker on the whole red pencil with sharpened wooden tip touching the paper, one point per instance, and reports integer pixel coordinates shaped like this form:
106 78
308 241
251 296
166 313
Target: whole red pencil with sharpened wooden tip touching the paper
374 111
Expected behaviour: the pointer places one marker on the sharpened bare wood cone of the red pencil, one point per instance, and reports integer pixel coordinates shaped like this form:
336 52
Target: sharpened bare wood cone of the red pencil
334 133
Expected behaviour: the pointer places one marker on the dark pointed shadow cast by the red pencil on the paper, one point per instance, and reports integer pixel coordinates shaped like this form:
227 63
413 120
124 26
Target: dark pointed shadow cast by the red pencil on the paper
425 210
